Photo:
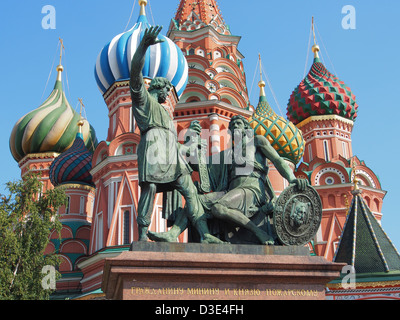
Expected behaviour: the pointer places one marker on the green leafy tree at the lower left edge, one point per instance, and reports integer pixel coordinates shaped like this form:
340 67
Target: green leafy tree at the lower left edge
26 219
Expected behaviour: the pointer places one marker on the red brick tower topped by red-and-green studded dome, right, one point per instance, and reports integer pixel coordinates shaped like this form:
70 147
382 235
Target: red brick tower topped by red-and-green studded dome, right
325 109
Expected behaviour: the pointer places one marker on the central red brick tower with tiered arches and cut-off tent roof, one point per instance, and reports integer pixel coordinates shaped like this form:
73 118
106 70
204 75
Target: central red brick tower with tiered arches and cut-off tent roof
216 89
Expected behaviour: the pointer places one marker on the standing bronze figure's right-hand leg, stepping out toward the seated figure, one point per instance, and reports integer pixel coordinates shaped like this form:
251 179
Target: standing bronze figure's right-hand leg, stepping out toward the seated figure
194 209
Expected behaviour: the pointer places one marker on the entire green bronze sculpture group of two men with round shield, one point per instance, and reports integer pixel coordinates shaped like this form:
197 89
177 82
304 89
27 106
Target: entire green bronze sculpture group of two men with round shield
242 194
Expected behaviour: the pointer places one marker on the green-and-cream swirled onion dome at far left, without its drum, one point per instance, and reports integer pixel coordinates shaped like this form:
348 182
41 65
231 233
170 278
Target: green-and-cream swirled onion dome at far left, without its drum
52 127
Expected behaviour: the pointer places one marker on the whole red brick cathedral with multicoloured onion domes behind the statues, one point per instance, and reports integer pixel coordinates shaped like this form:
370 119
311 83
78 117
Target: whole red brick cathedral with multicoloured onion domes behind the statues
201 58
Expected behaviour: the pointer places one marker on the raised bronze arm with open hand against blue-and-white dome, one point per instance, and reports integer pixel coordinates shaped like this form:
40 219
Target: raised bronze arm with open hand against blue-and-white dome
138 60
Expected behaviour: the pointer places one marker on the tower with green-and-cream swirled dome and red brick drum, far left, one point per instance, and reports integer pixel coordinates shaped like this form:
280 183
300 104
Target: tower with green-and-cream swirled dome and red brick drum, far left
42 134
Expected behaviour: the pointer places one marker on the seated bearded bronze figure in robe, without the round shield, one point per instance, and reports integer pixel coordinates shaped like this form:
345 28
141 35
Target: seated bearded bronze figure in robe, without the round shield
241 188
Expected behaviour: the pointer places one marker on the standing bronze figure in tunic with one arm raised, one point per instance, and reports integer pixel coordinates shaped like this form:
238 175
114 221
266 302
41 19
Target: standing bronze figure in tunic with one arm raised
162 166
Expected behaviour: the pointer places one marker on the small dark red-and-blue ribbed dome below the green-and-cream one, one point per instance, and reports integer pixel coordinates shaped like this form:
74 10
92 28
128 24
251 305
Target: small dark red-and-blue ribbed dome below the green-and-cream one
73 165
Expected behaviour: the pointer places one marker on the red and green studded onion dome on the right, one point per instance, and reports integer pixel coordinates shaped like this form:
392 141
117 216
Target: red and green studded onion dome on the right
321 93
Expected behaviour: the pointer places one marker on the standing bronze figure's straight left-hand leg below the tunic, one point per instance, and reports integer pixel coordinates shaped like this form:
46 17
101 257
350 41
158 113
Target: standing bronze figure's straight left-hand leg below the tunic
145 209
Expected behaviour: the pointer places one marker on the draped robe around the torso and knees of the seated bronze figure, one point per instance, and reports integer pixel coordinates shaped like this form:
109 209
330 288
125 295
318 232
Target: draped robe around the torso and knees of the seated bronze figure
244 187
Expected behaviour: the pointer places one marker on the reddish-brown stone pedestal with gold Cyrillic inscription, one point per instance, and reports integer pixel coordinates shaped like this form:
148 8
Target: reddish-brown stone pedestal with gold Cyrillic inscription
175 271
